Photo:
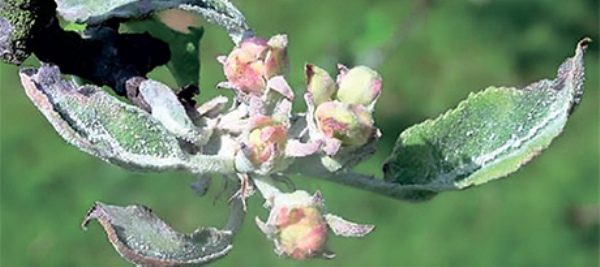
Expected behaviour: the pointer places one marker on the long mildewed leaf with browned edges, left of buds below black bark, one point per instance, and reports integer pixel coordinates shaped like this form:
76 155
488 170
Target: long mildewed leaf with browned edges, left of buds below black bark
100 124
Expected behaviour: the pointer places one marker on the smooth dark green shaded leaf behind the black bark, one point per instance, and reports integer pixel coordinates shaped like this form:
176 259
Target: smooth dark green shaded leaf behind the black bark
184 47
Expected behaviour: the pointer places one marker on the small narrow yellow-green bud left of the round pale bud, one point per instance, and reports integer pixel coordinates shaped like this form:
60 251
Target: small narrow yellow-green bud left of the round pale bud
319 84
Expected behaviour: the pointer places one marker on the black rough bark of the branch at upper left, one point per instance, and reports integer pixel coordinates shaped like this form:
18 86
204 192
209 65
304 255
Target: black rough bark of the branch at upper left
104 56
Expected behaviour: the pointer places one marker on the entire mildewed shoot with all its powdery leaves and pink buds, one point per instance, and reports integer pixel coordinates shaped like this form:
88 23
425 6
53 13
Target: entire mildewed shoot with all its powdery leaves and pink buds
489 135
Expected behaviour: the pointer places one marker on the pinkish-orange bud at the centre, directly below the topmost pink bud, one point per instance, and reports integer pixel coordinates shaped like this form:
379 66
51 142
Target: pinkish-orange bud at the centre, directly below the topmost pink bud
266 140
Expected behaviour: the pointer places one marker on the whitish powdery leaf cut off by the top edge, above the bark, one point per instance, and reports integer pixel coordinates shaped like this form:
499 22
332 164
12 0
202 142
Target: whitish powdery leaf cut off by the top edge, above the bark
219 12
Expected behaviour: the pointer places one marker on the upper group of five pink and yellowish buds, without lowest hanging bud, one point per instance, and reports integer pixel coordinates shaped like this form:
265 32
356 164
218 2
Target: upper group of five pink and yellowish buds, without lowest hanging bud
340 111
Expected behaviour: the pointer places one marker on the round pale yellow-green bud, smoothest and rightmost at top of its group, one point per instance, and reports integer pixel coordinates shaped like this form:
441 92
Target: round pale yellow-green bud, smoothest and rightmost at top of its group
359 86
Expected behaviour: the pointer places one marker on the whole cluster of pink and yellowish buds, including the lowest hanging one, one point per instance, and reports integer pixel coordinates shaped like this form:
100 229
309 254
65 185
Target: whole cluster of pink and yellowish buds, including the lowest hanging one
339 118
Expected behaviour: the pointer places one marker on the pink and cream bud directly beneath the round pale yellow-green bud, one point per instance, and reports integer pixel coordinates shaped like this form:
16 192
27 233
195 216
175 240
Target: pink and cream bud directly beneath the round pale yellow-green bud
351 124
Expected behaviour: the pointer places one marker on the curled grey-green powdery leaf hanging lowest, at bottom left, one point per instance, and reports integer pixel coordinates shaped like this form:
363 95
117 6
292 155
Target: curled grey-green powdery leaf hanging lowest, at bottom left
145 240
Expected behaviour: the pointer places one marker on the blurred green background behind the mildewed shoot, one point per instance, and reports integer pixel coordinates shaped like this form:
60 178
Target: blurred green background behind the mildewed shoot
431 55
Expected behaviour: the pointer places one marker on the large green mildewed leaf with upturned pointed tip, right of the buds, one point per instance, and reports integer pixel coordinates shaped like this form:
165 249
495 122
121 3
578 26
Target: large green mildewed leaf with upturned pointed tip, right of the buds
488 136
